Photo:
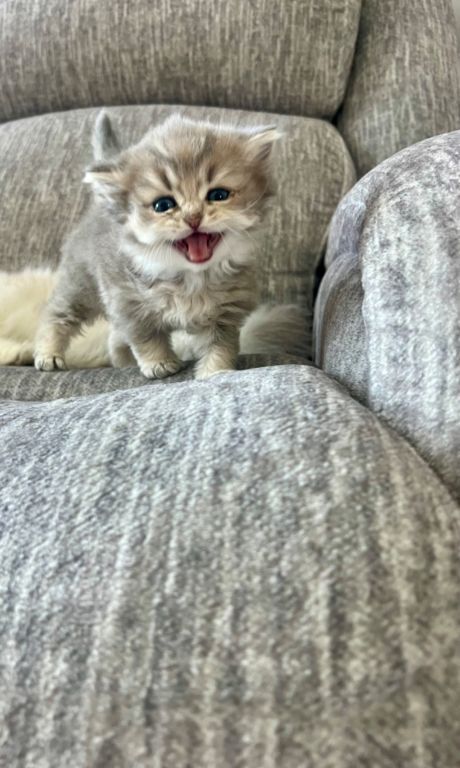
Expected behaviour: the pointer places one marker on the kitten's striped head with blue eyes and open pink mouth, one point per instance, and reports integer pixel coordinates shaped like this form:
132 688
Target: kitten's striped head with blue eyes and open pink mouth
190 194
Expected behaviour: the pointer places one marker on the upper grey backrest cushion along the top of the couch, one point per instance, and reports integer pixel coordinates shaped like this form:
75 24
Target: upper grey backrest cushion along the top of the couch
293 56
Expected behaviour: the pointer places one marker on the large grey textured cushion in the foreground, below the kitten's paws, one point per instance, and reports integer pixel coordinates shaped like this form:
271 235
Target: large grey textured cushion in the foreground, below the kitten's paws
250 571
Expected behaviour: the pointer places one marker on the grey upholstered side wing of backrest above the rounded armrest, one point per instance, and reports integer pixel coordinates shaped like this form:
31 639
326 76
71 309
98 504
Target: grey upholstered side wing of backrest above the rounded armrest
405 84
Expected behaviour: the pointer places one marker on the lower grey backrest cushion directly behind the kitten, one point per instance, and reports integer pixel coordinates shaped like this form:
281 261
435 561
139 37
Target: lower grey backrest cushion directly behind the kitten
42 162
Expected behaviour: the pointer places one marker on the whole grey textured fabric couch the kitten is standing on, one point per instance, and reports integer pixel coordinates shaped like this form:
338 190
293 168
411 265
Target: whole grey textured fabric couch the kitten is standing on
262 569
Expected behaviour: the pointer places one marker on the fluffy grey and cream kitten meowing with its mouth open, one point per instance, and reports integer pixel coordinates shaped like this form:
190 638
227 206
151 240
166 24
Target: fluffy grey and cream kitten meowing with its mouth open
168 244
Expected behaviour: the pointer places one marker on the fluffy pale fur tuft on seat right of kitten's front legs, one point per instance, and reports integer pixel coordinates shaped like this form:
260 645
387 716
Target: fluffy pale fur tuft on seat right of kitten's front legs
269 330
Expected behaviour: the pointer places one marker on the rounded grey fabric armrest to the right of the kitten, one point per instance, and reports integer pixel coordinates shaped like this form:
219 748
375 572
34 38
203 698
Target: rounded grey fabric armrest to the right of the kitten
399 228
